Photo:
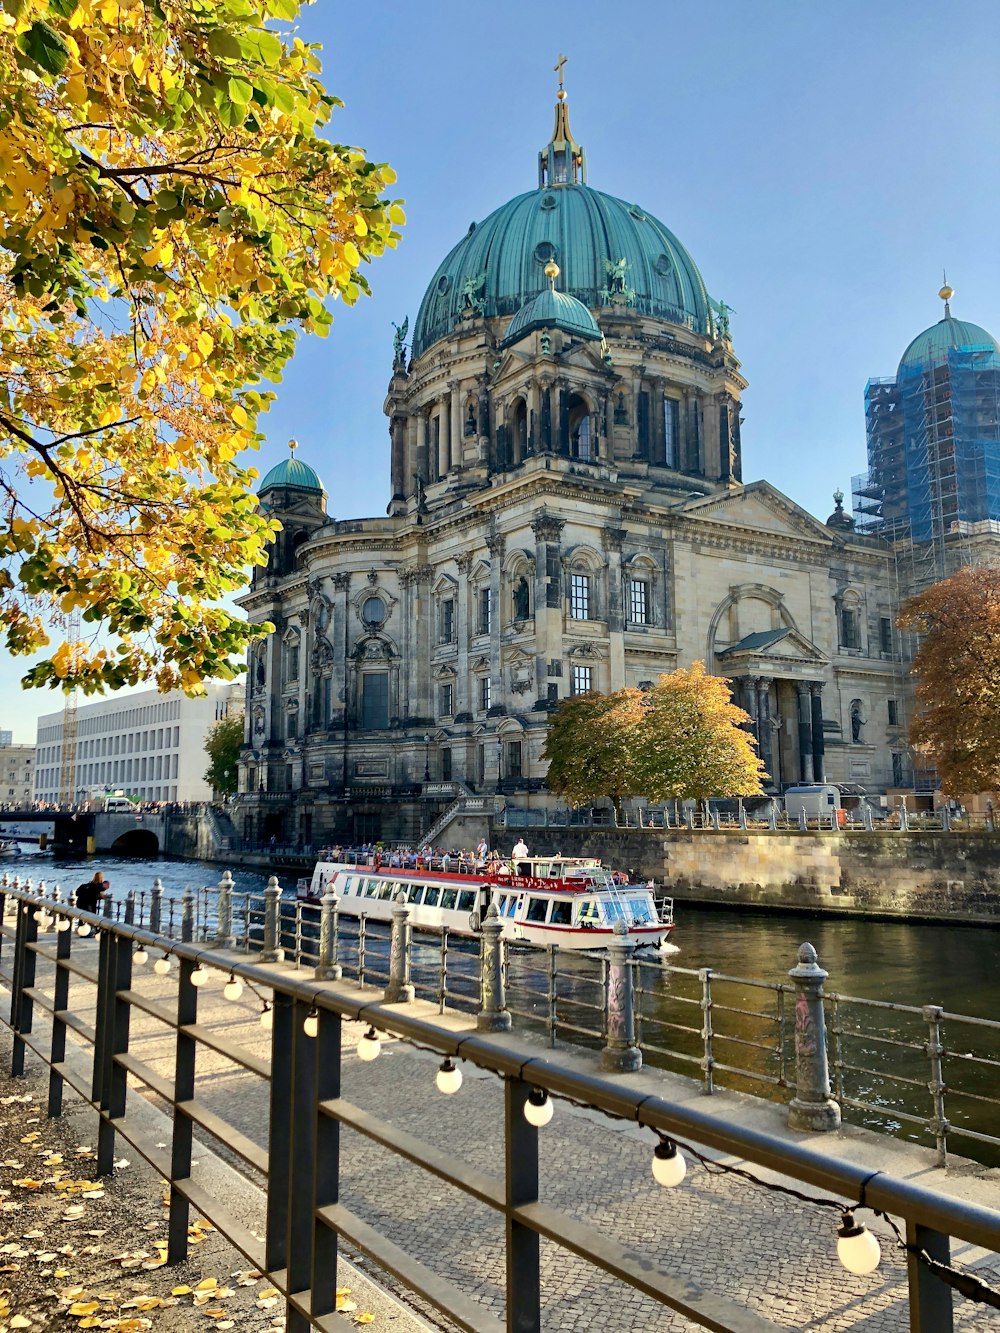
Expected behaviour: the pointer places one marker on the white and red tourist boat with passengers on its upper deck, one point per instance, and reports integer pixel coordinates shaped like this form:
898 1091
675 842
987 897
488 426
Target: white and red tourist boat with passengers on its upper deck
570 902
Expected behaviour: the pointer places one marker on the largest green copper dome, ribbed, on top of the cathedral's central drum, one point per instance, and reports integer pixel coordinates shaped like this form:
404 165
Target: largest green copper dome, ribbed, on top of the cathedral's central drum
610 253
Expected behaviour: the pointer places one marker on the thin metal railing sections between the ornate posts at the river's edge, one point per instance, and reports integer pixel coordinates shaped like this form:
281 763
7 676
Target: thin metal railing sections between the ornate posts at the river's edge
913 1071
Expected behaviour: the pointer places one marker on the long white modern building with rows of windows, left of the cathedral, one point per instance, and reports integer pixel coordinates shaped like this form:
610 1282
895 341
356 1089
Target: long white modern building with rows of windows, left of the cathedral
149 746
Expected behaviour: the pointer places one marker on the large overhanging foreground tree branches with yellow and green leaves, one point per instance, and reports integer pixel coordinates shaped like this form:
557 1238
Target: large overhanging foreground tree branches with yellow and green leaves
170 221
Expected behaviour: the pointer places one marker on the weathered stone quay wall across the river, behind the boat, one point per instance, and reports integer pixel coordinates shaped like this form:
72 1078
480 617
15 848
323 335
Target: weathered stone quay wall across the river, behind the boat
933 875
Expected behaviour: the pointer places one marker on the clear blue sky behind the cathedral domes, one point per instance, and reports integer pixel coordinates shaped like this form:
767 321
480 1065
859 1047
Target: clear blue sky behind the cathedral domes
822 163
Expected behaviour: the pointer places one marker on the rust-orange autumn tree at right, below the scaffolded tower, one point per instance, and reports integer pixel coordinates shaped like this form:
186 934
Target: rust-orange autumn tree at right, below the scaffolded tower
957 722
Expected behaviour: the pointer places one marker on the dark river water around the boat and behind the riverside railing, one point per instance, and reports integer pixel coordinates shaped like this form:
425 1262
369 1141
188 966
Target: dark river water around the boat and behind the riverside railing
954 967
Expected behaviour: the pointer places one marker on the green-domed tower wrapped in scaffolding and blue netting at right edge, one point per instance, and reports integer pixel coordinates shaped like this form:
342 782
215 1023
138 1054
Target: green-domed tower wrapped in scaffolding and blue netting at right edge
934 453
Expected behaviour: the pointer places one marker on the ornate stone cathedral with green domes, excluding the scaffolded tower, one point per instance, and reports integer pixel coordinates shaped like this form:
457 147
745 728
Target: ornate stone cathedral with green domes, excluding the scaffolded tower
566 514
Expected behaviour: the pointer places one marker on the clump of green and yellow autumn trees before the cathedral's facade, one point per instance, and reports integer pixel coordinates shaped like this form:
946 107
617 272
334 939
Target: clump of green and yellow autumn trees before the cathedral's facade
683 739
